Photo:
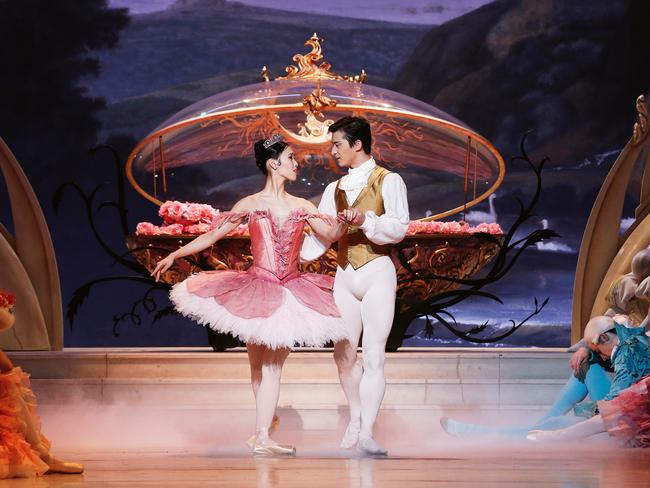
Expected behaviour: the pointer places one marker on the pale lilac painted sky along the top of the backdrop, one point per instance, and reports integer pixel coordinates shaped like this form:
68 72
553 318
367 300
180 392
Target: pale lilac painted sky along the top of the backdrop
429 12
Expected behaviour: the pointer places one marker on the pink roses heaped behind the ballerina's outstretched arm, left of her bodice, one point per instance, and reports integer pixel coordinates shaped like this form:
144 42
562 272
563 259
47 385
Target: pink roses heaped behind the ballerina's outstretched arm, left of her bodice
185 219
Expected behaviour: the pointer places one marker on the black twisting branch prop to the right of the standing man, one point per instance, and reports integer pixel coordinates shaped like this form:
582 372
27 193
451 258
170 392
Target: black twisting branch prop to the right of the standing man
508 254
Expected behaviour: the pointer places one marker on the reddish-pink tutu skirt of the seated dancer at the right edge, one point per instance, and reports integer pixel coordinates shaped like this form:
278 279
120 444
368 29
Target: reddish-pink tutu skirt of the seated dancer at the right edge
628 415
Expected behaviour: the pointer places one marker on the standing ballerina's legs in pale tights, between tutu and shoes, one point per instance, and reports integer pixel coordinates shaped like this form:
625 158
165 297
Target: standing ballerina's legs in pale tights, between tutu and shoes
266 370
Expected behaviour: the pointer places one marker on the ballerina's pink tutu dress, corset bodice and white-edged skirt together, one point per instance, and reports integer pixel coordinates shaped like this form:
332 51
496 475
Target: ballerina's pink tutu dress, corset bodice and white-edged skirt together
272 303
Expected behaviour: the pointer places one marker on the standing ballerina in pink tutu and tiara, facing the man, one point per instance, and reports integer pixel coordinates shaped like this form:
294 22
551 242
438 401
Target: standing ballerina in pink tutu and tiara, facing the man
272 306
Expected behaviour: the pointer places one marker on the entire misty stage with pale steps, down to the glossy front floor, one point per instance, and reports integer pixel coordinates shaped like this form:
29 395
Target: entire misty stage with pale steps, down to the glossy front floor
155 418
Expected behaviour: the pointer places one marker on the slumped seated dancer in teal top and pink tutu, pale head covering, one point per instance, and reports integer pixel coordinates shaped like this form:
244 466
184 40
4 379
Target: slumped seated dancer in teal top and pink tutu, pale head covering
625 410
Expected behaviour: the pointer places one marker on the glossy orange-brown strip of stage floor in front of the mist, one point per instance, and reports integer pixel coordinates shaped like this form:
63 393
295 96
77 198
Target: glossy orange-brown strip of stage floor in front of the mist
530 466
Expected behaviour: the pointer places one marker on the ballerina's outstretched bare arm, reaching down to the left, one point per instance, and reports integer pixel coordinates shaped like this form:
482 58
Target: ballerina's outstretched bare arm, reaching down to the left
224 223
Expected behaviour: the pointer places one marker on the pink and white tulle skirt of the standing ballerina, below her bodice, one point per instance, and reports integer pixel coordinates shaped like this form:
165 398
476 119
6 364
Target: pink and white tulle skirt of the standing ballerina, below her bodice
258 308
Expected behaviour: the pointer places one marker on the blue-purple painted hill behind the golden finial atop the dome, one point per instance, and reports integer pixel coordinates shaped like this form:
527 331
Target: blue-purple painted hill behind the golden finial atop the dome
201 39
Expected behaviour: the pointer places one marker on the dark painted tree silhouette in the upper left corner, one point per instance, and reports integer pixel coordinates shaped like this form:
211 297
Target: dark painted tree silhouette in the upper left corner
46 115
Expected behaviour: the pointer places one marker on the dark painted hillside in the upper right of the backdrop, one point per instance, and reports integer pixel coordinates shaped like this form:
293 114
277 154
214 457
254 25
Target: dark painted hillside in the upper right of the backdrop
569 70
